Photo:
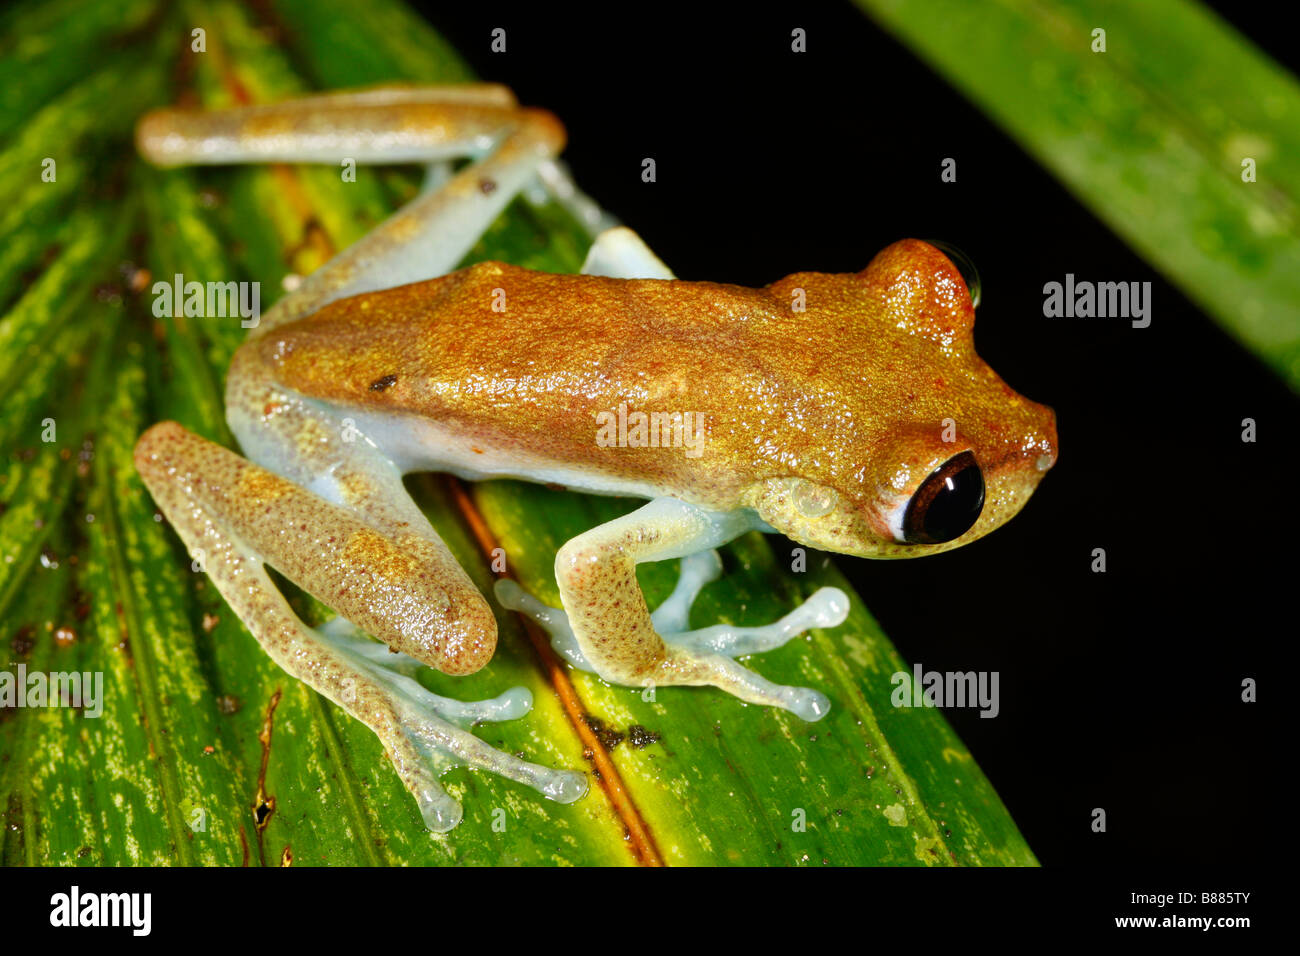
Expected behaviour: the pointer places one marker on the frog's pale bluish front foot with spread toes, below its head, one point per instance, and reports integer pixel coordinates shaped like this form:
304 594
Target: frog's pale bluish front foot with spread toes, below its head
714 647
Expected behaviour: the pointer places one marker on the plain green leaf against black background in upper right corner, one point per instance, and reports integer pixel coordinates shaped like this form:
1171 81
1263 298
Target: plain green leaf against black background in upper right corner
1150 135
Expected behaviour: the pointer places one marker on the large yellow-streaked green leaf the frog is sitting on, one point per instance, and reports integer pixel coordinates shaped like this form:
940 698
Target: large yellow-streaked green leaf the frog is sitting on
206 752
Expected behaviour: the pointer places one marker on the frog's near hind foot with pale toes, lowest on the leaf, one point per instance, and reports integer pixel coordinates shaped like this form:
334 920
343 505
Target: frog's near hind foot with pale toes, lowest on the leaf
437 728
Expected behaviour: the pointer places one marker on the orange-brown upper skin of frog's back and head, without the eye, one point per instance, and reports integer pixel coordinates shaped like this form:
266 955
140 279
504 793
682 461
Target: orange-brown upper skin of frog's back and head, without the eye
850 395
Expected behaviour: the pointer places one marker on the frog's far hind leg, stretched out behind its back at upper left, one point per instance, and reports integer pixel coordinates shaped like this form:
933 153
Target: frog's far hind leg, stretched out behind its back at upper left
514 148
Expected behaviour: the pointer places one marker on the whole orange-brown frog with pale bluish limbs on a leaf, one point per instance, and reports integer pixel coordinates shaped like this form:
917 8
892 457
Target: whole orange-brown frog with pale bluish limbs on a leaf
847 412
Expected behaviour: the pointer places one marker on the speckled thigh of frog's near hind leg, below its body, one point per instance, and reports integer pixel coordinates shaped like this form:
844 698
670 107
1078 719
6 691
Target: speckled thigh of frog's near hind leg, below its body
385 572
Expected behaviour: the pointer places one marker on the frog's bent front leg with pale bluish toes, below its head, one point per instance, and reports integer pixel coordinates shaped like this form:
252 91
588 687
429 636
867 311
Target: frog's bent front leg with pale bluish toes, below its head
608 626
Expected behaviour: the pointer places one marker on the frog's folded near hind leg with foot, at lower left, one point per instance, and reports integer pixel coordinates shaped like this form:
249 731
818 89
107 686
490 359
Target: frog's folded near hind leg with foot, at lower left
237 516
